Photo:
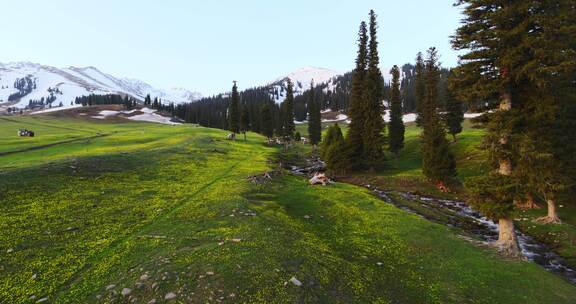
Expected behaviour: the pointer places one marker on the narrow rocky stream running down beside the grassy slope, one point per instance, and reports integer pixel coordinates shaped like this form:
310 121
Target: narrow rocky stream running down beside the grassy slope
460 215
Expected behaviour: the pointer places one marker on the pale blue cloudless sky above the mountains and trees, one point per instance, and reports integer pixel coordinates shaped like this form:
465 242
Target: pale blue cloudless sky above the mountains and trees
204 45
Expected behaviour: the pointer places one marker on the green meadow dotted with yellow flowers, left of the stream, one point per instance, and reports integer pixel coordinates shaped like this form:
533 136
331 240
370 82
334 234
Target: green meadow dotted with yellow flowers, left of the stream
175 203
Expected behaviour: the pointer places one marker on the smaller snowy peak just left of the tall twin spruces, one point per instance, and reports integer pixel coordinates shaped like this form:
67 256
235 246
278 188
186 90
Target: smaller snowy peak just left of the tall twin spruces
301 79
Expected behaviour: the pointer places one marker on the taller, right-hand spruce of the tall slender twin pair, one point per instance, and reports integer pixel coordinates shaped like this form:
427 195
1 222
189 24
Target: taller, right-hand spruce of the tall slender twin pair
374 126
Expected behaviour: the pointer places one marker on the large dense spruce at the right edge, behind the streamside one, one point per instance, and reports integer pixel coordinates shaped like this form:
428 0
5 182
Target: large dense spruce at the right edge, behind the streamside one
546 163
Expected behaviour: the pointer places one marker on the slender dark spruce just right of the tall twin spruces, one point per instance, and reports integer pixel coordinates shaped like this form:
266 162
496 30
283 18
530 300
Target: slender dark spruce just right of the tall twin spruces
396 126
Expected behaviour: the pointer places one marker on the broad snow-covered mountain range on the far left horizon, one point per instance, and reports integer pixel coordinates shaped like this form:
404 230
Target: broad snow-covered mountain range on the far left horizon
22 82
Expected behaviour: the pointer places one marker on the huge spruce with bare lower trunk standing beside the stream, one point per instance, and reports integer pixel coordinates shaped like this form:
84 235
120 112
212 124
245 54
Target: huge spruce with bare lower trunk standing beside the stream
496 66
